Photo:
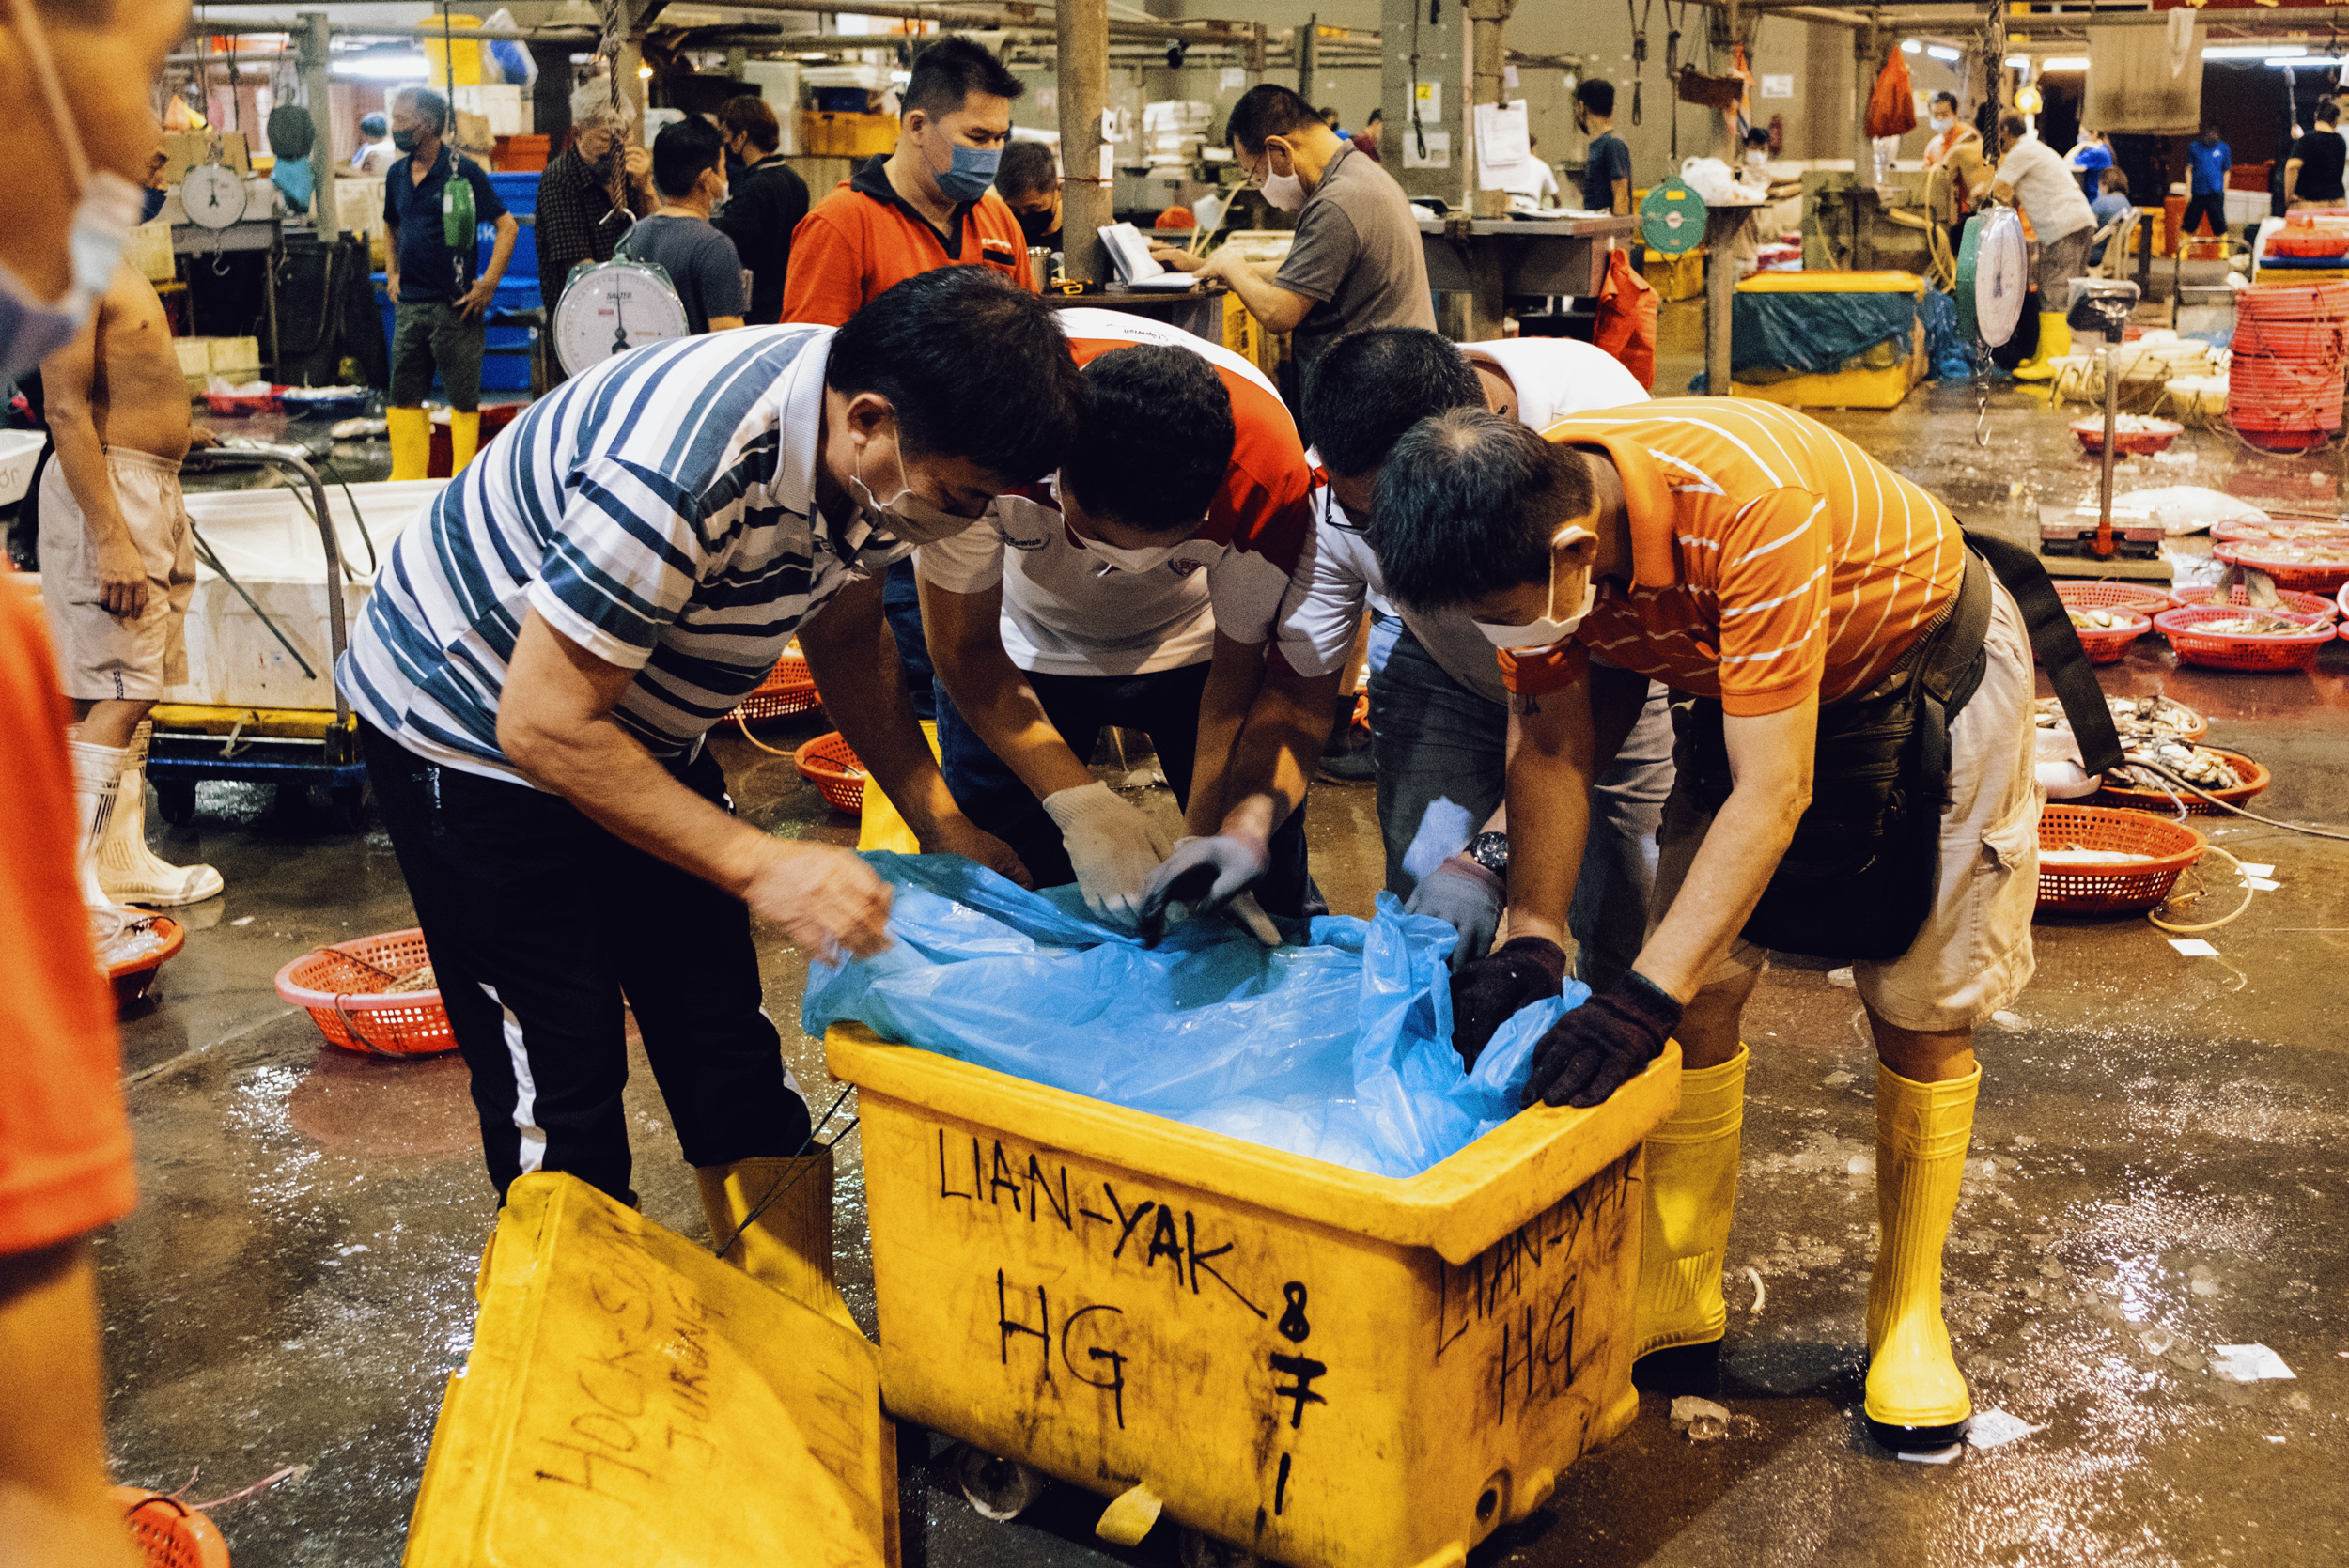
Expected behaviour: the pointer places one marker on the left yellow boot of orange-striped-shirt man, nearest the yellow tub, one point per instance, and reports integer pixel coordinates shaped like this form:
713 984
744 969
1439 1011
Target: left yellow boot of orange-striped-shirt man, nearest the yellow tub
1692 1191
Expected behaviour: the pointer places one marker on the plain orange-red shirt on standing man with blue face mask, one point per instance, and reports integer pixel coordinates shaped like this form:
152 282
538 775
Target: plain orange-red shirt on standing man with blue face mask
866 238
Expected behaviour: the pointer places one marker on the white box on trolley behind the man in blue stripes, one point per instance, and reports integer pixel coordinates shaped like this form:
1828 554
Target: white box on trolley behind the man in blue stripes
271 546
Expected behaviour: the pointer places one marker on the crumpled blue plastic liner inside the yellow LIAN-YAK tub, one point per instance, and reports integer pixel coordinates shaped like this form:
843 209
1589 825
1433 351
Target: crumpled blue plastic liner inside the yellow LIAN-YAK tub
1335 1048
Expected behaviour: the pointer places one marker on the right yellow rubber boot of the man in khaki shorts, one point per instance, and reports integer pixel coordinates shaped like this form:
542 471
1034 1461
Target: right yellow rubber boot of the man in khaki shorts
1916 1393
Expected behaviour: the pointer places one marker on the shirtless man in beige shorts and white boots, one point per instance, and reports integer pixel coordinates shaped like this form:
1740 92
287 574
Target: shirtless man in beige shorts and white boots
119 569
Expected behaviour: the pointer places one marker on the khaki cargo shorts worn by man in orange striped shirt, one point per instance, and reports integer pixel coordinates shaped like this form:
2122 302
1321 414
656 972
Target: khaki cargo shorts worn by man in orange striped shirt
1974 952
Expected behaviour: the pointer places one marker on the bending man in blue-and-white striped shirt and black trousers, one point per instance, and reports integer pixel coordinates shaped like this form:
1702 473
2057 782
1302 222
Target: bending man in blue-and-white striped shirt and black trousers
548 647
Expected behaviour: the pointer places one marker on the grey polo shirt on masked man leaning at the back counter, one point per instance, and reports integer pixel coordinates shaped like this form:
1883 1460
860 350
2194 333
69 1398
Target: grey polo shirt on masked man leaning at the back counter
1357 257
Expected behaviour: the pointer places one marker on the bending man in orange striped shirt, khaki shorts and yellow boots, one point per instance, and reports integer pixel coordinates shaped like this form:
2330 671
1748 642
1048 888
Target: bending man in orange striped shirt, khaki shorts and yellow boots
1810 602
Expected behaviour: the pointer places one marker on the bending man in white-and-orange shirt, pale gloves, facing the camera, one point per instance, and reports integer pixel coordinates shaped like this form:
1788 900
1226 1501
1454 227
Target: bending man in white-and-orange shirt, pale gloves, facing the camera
1138 588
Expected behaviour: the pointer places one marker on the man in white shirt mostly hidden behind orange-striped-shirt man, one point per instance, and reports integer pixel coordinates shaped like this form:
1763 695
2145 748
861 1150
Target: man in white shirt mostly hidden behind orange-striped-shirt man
1436 705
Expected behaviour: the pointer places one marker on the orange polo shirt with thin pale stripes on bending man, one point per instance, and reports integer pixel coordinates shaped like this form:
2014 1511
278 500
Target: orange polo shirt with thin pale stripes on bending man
1770 557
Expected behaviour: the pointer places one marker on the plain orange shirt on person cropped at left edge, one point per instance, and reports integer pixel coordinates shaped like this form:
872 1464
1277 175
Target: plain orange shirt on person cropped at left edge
65 1137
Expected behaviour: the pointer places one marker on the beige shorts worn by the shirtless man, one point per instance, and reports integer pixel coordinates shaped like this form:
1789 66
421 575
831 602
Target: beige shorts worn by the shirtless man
97 651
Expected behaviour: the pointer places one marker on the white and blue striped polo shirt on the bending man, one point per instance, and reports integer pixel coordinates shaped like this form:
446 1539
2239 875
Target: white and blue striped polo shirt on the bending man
657 511
